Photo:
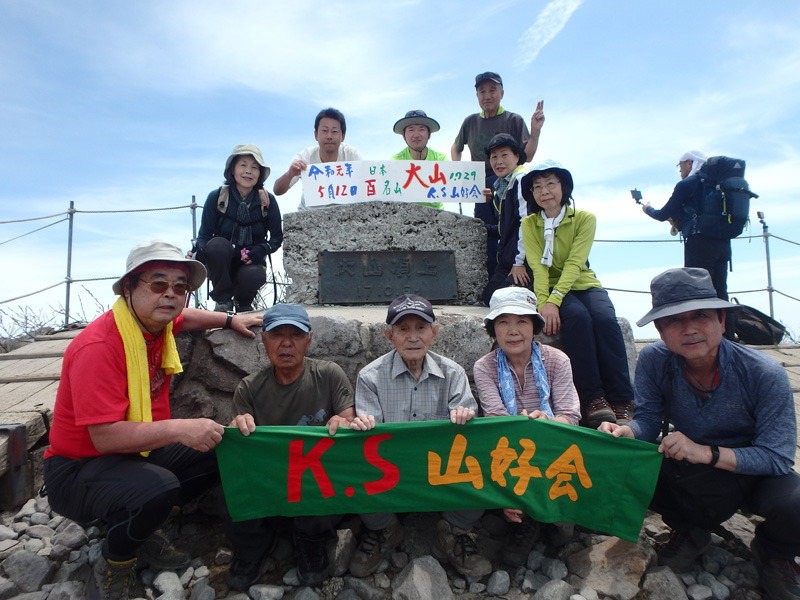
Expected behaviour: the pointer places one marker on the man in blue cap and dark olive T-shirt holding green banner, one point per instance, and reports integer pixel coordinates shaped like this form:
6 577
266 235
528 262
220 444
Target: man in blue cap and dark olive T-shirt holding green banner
292 390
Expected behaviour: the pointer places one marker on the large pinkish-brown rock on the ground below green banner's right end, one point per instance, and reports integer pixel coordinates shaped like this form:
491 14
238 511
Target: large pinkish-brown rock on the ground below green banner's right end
613 567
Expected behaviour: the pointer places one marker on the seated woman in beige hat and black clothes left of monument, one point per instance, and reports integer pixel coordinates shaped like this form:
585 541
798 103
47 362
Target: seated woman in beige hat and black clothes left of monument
241 226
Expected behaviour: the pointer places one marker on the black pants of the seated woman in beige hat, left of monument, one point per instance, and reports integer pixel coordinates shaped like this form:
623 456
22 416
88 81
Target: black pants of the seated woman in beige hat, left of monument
230 277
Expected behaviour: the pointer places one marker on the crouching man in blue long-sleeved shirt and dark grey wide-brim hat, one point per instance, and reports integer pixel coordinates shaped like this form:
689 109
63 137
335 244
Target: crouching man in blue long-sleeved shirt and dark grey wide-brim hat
734 437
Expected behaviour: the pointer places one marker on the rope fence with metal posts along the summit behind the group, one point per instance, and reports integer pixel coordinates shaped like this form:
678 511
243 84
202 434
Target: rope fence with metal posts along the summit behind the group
68 280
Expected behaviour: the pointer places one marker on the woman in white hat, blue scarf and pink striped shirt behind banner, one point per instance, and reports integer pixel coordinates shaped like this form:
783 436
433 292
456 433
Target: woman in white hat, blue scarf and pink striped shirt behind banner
523 377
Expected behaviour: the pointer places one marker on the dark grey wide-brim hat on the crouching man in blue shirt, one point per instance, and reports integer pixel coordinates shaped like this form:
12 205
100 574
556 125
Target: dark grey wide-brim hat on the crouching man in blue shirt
682 290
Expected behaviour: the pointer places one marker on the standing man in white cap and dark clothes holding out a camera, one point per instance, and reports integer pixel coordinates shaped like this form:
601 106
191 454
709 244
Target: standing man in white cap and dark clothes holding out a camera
699 250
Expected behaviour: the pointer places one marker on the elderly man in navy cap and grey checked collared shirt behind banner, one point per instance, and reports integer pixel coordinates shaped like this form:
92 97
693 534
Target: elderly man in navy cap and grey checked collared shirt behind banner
410 383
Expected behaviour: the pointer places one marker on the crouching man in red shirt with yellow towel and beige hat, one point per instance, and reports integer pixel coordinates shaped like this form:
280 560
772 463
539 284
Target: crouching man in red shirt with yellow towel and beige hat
115 452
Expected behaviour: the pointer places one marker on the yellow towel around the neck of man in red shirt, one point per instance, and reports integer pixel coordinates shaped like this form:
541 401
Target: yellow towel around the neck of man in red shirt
139 409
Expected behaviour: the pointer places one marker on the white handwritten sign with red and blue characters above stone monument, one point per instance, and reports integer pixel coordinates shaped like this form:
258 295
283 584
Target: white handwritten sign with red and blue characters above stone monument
394 180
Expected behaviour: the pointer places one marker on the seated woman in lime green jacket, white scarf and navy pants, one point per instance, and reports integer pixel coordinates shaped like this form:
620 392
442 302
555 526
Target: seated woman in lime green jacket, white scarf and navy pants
557 239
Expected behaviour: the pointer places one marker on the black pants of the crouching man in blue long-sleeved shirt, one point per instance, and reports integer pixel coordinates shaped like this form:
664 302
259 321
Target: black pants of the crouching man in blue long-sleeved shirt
701 496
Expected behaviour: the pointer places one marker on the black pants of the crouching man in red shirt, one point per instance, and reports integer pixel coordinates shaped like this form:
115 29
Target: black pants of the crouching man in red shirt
132 494
